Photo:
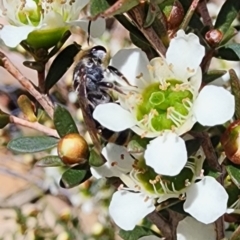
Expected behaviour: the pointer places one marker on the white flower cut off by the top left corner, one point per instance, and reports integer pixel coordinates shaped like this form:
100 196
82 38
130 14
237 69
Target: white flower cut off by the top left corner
29 15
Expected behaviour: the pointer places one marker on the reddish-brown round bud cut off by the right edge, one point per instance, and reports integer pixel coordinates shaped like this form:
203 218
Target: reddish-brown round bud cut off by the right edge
231 142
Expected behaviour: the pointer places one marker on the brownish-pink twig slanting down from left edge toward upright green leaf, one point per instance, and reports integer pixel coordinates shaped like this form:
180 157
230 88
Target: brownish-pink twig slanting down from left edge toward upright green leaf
27 84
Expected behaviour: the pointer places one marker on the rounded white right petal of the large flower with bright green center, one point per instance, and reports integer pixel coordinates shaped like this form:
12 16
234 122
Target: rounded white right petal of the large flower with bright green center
213 106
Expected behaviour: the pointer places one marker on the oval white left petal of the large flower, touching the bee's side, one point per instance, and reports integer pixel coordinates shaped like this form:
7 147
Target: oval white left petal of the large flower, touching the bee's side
113 117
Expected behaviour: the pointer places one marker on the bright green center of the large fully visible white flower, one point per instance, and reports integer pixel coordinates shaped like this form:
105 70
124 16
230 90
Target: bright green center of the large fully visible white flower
165 107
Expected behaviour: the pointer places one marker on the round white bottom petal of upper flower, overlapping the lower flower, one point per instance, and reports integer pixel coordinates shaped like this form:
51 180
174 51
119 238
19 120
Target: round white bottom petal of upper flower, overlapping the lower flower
166 154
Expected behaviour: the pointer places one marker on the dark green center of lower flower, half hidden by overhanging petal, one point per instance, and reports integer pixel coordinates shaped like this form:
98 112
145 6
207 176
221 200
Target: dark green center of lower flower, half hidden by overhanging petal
155 184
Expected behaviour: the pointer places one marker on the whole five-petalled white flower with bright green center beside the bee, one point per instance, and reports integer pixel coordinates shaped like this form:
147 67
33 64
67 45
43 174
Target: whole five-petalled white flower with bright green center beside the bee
166 101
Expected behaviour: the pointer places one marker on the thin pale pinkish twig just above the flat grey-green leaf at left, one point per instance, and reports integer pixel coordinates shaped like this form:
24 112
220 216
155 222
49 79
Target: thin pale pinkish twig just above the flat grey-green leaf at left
34 125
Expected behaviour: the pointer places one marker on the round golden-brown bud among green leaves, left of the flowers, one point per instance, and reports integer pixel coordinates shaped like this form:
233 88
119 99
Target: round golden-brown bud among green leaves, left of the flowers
73 149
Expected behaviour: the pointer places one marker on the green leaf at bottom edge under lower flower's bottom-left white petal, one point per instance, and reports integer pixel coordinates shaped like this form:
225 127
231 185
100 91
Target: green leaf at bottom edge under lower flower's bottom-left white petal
136 233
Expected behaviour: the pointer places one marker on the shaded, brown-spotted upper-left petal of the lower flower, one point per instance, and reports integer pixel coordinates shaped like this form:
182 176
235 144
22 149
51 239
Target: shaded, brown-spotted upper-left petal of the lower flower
118 157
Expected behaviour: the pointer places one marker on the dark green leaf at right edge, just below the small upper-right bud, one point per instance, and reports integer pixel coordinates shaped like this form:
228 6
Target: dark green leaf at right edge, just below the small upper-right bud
229 52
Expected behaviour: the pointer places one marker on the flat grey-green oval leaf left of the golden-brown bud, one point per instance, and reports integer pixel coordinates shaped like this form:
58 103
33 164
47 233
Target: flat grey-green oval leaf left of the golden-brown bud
32 144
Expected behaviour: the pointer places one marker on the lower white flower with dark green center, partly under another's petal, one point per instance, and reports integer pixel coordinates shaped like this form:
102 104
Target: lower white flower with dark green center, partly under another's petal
206 200
